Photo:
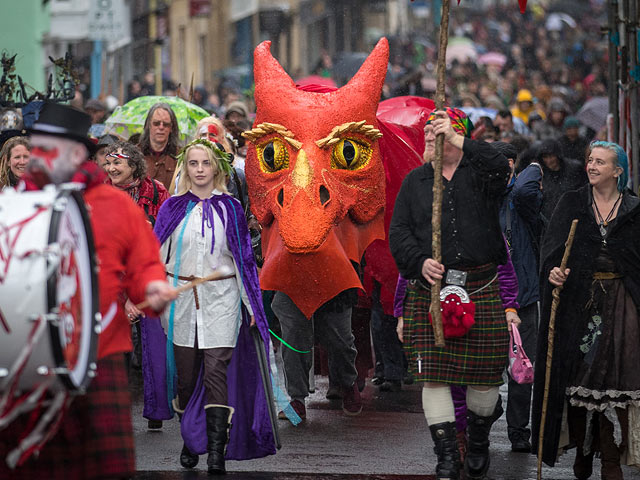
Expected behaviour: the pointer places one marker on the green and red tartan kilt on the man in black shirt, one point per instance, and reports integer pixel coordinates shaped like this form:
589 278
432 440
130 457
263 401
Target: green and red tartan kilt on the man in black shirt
477 358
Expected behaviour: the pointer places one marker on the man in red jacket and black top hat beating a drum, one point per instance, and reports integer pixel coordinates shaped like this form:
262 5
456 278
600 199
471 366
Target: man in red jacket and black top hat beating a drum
96 435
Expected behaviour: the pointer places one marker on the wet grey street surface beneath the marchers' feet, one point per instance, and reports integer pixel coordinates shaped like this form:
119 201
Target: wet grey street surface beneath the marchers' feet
388 441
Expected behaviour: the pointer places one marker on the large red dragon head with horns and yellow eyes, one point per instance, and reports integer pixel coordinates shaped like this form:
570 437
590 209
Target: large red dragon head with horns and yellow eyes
316 179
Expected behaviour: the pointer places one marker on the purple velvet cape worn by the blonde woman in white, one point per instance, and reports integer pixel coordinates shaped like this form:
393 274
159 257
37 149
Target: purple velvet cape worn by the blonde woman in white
251 435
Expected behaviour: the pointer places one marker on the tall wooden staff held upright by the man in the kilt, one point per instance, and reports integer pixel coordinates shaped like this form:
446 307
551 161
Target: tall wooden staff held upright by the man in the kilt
436 211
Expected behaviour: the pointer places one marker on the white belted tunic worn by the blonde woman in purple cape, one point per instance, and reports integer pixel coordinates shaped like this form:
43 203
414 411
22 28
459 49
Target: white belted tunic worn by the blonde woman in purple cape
218 316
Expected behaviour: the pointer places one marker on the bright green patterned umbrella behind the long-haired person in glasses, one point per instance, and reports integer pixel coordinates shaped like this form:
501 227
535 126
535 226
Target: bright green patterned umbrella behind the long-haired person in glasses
129 119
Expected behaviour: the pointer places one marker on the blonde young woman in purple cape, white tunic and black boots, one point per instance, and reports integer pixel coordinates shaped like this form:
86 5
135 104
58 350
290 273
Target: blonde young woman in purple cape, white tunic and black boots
203 339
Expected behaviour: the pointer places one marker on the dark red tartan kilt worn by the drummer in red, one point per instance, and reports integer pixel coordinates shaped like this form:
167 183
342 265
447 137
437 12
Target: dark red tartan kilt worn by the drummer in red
95 439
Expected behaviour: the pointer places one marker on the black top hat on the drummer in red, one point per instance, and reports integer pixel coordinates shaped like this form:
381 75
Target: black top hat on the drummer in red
62 121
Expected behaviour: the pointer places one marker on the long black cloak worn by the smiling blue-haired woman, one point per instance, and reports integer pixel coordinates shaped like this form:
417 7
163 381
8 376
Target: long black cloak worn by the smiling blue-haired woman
624 247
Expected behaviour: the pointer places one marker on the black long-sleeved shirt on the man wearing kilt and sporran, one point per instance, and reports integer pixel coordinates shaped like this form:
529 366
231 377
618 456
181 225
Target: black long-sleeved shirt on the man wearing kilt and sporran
471 232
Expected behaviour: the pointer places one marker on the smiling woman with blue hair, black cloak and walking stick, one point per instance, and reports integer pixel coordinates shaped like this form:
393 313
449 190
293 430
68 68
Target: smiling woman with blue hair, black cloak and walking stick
594 390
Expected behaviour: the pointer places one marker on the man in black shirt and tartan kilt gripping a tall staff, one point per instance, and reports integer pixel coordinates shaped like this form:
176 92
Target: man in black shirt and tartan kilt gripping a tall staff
475 177
